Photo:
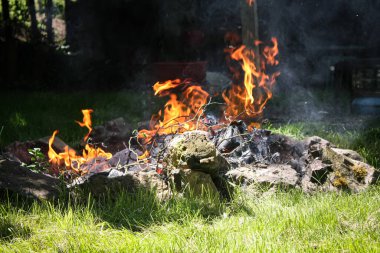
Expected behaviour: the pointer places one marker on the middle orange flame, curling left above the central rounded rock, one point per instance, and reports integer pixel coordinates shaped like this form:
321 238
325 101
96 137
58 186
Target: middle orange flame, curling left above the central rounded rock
177 114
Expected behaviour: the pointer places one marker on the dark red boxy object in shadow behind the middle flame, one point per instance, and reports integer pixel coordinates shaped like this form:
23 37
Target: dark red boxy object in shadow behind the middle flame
164 71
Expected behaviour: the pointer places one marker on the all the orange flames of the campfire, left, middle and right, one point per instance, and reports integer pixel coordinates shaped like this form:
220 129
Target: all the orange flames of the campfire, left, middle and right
186 110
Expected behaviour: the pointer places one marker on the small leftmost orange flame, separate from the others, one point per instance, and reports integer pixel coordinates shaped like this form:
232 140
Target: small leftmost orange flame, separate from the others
69 158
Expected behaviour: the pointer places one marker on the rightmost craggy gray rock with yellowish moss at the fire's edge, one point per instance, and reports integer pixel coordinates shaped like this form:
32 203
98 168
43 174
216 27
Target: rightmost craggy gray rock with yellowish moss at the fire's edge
332 169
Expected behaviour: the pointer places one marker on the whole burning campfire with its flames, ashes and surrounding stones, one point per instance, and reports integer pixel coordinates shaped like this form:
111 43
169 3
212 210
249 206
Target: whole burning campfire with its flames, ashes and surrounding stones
203 141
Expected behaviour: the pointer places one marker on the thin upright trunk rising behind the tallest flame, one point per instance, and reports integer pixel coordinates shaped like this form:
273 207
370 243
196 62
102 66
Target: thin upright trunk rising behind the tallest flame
250 27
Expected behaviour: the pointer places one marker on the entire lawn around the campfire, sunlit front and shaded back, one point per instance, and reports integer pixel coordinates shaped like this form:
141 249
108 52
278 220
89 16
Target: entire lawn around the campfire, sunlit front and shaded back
287 221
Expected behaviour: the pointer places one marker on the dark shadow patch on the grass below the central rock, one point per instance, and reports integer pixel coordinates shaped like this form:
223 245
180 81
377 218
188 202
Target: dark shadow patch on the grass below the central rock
139 210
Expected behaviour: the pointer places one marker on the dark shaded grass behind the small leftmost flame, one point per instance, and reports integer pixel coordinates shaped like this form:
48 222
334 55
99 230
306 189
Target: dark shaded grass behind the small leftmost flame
29 116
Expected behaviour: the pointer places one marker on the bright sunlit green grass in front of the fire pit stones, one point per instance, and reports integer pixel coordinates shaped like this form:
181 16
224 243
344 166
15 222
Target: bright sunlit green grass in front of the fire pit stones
283 222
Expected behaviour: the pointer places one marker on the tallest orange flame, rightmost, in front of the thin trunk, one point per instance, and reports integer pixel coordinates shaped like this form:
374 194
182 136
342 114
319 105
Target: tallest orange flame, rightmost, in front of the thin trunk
249 101
